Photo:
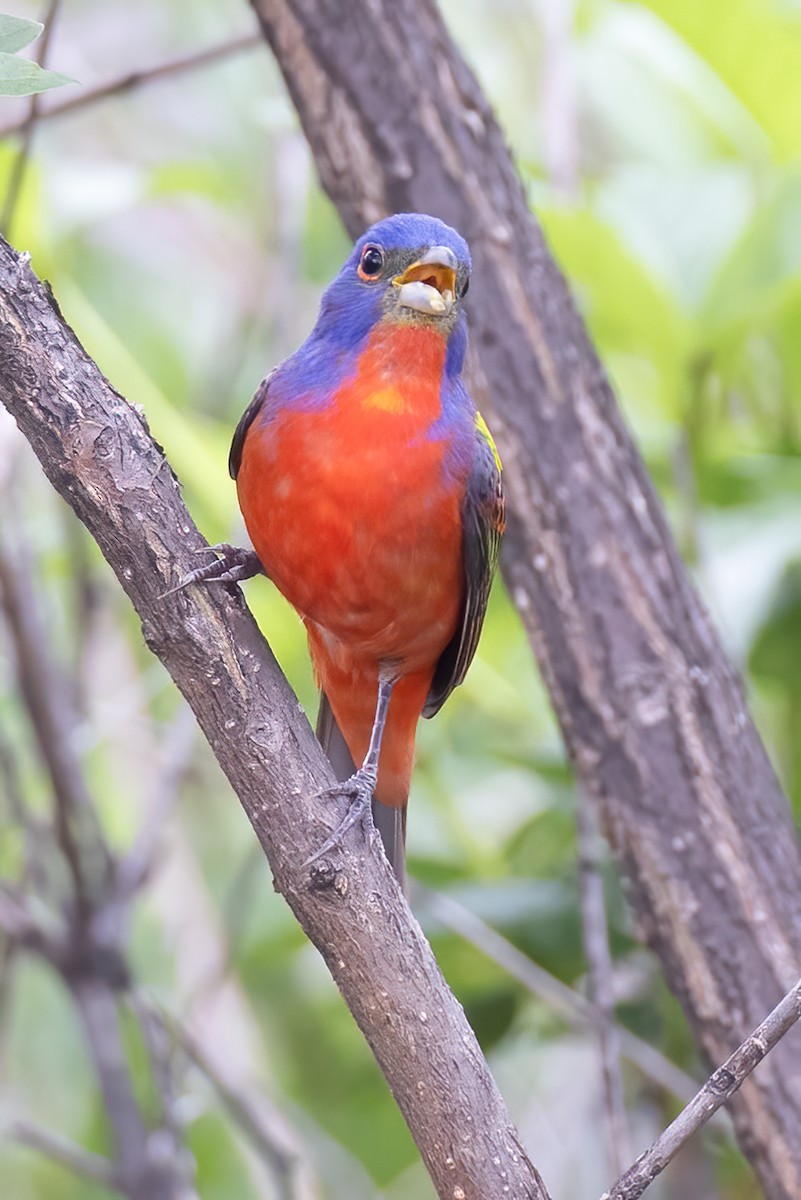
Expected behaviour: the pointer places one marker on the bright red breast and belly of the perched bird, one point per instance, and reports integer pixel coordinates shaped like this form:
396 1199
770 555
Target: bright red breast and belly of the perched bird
353 519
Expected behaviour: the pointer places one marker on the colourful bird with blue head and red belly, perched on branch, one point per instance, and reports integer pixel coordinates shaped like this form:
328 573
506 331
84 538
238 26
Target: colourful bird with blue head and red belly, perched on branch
372 494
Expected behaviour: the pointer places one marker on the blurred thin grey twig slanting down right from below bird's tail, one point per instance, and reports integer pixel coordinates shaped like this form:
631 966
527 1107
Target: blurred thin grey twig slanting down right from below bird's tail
574 1007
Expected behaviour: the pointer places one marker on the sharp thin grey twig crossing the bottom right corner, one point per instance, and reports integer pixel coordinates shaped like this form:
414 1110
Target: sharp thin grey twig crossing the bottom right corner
716 1091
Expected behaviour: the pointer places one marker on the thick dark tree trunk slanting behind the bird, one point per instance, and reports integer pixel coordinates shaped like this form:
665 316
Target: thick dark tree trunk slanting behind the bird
653 715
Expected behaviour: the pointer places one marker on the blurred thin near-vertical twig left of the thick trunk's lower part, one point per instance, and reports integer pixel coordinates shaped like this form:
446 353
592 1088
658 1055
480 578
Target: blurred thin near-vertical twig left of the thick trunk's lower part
599 961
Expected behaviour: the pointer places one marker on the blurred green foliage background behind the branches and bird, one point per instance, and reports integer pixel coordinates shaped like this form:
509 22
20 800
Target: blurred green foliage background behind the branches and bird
188 242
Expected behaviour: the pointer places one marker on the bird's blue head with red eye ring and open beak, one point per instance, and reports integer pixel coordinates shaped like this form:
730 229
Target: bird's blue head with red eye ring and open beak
409 268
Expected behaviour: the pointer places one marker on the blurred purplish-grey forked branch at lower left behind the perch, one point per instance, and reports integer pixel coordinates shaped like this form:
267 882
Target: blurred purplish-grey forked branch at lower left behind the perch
86 949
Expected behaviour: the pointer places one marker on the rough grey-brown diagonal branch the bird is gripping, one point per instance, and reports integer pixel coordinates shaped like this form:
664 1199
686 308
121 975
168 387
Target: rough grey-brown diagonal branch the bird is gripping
98 453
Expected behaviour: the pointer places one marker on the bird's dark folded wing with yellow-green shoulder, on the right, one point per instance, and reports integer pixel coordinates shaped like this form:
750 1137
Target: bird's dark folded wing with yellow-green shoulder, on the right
483 524
